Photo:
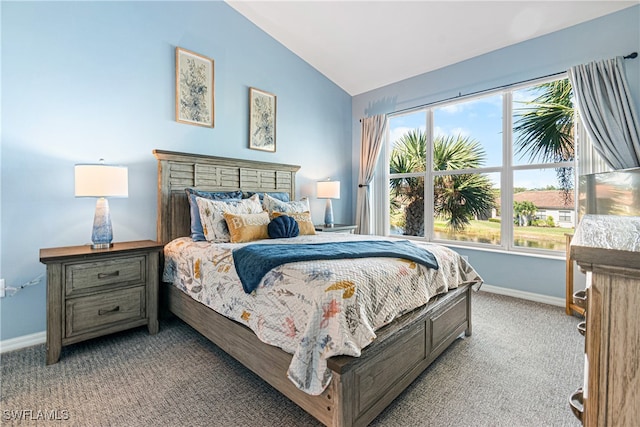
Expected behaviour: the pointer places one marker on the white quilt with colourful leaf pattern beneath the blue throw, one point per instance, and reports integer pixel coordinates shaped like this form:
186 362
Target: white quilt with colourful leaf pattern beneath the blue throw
313 309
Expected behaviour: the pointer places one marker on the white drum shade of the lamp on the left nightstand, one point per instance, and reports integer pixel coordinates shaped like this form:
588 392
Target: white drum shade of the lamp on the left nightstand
99 180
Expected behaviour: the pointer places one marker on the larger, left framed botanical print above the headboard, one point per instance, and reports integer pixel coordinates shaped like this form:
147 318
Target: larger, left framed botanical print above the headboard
194 88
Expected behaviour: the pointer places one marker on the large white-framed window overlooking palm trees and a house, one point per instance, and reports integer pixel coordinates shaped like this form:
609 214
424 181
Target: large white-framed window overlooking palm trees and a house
454 167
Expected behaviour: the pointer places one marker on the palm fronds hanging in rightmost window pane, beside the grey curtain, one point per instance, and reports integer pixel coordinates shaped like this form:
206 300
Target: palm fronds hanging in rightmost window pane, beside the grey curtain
544 129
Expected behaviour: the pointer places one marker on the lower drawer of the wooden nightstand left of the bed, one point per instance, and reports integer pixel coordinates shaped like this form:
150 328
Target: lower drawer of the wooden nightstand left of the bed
85 314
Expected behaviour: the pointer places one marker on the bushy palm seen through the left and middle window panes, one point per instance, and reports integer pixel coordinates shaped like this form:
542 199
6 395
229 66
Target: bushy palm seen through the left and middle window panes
456 197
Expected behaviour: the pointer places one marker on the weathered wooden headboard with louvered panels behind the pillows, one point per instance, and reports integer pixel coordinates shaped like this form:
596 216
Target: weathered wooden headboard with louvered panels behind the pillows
177 171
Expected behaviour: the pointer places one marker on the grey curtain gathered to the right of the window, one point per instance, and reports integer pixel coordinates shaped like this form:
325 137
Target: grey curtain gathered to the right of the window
607 111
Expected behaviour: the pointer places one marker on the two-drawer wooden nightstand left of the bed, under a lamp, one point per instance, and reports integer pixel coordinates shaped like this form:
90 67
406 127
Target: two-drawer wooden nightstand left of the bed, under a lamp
94 292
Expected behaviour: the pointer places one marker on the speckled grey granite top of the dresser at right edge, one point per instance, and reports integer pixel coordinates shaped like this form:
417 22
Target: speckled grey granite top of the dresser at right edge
608 240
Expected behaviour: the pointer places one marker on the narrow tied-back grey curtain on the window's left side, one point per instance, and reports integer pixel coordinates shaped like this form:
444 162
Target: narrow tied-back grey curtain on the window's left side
372 136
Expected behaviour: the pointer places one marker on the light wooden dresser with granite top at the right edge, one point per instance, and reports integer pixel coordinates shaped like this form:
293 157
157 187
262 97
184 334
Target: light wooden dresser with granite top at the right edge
607 249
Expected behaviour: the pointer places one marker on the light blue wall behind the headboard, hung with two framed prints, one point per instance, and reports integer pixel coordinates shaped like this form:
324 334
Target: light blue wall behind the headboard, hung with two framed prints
85 80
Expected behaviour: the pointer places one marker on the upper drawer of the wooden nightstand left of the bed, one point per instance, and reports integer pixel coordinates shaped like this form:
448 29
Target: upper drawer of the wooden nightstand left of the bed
128 270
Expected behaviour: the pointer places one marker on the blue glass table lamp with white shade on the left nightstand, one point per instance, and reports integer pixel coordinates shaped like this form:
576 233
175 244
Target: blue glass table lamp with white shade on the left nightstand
101 181
